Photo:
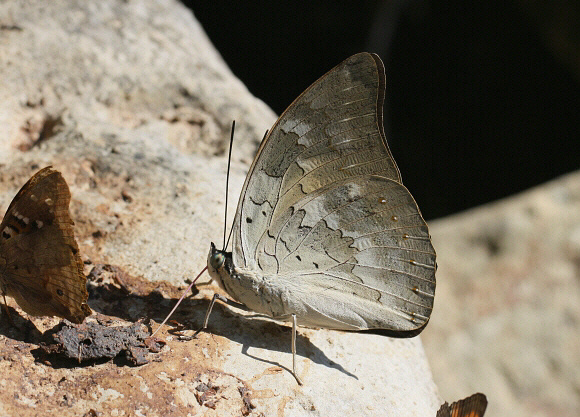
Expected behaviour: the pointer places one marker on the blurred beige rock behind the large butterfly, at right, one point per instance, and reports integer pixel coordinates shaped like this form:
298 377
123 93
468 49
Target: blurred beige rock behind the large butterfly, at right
507 312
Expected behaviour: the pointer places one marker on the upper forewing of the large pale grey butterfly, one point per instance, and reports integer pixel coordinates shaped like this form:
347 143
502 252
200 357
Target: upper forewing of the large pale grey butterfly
332 131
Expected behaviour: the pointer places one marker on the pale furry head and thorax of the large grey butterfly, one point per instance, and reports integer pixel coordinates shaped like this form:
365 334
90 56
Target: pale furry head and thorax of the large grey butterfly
245 286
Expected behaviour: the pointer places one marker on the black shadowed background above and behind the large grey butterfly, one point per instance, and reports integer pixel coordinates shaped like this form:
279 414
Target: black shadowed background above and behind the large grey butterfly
481 101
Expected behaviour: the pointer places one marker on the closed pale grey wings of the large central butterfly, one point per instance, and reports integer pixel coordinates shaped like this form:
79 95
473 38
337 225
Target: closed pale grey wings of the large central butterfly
323 211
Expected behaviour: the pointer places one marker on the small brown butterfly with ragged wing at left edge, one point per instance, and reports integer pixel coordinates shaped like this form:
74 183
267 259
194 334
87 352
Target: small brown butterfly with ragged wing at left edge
40 265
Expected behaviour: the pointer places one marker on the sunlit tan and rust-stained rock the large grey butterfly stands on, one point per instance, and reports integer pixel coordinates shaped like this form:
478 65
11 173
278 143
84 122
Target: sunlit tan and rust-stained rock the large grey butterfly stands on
133 105
